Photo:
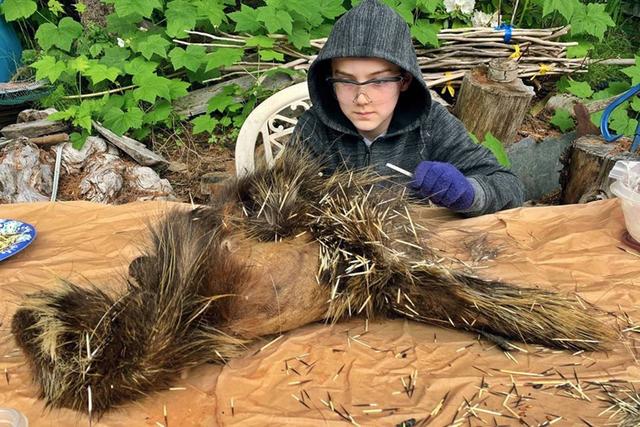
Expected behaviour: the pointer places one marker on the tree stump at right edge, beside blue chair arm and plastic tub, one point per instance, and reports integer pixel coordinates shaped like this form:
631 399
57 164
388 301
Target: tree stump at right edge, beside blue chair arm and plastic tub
585 176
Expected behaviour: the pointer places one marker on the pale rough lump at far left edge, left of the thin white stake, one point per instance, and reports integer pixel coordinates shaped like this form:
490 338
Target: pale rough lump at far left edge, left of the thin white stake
26 174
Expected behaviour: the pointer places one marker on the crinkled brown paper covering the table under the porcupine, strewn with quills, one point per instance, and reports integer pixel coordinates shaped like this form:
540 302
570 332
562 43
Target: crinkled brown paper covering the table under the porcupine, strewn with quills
570 249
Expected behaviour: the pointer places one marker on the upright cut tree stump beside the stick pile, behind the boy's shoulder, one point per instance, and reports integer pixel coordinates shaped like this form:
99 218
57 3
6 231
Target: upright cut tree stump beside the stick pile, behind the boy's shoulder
488 106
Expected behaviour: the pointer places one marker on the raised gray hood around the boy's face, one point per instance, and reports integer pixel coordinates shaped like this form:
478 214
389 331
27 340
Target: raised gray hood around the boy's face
371 29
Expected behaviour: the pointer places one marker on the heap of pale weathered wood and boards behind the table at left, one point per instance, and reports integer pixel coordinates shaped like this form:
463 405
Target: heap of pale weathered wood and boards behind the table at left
39 163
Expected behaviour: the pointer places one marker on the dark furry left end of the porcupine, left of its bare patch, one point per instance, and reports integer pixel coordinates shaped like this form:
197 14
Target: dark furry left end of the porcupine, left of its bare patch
85 342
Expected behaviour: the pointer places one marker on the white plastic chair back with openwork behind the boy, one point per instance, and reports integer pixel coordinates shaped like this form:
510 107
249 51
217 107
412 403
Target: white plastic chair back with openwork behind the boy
273 121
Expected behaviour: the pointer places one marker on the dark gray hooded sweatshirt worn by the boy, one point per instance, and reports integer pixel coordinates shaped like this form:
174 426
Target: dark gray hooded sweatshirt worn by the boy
419 130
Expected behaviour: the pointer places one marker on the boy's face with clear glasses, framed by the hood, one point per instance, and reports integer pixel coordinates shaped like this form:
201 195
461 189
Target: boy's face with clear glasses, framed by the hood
369 107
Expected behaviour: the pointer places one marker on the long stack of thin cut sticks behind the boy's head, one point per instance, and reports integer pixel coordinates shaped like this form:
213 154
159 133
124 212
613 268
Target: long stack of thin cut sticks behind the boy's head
461 49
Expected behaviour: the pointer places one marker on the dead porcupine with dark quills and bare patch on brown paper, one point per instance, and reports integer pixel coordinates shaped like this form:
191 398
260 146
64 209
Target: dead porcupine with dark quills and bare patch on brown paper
216 277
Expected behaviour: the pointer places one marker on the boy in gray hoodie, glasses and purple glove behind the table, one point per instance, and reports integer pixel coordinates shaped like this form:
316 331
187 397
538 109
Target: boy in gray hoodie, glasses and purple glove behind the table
371 107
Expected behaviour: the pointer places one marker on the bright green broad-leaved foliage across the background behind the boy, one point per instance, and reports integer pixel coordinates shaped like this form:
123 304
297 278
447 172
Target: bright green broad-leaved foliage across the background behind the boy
128 74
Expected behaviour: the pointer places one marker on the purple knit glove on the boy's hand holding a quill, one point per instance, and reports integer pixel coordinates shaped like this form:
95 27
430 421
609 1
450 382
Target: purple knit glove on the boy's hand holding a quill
443 184
